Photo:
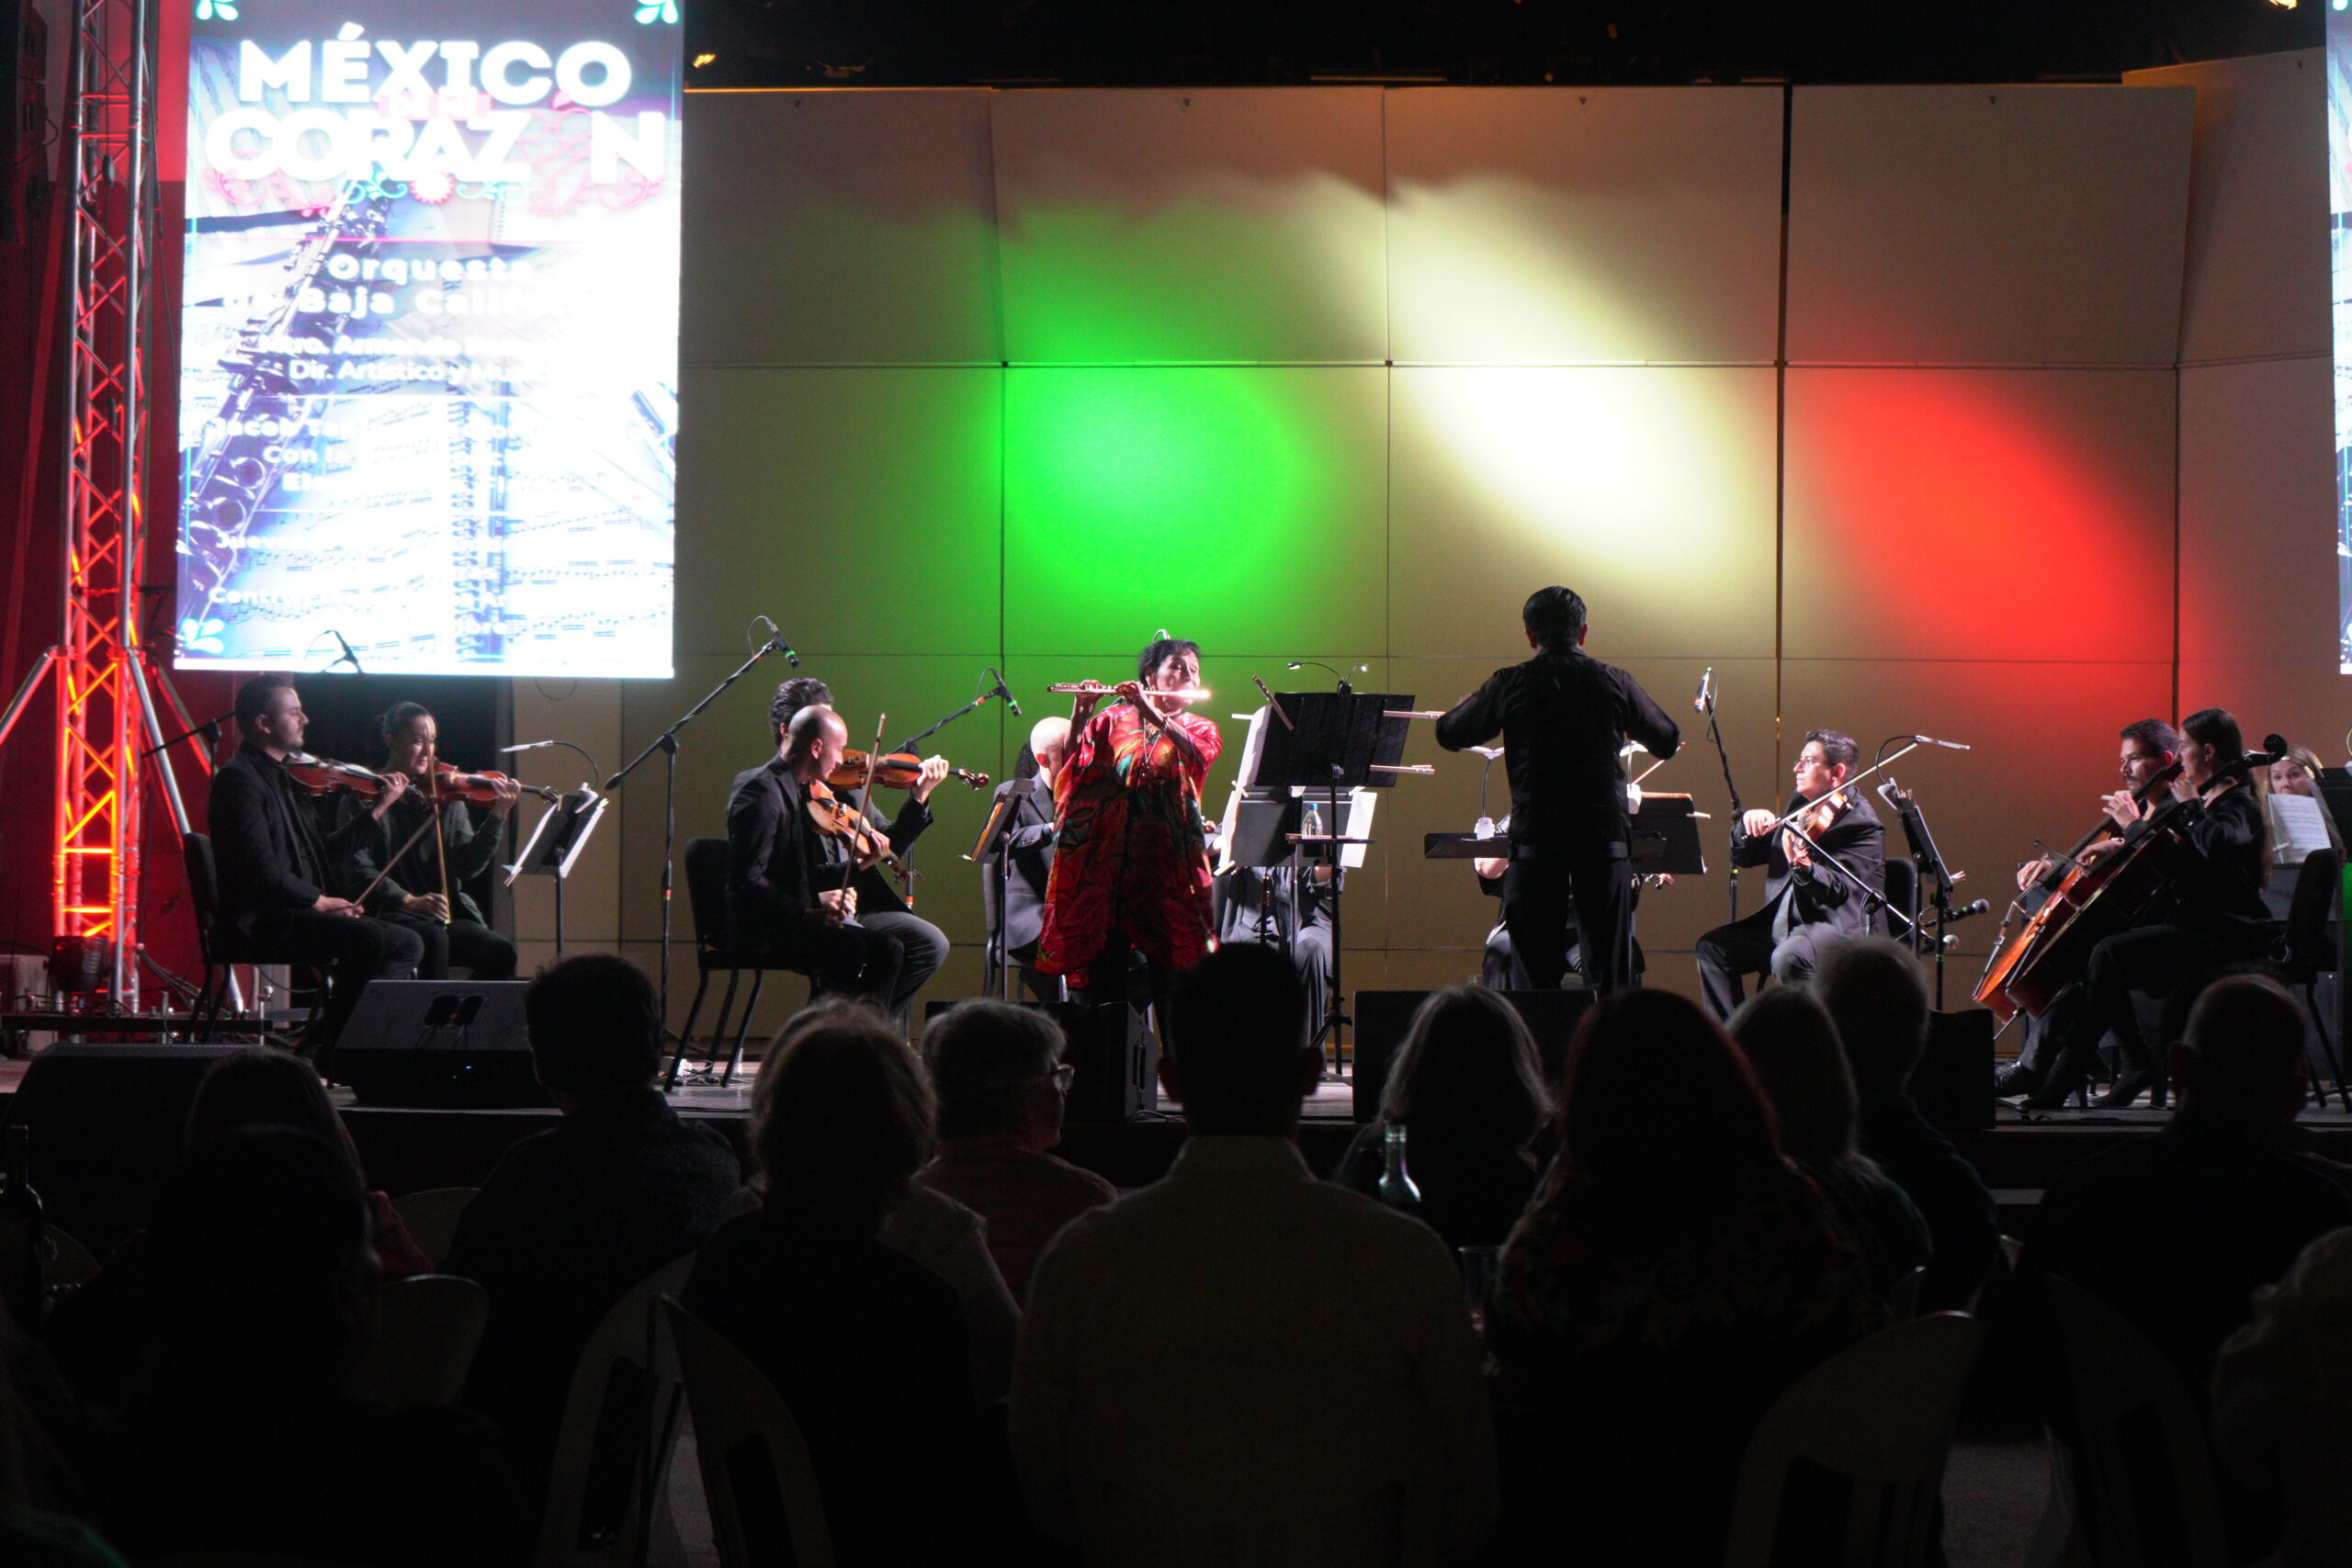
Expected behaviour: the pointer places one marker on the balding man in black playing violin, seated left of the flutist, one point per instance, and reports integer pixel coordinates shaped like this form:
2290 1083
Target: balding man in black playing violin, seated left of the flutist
784 899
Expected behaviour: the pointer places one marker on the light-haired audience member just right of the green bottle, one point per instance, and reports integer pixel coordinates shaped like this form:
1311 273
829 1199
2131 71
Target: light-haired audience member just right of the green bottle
1469 1092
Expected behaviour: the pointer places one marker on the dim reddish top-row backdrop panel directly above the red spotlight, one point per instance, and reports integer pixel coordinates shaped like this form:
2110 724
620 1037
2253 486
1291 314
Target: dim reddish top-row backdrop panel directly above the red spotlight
1986 225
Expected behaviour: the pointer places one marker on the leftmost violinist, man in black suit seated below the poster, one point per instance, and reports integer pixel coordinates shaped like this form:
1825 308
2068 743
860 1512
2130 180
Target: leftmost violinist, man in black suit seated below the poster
279 873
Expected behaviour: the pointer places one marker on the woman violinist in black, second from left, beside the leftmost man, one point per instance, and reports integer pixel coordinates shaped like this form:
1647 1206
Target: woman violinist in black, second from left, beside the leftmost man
425 887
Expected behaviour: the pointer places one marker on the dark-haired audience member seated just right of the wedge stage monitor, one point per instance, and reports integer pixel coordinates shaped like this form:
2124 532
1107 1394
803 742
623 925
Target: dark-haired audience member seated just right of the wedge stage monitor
575 1217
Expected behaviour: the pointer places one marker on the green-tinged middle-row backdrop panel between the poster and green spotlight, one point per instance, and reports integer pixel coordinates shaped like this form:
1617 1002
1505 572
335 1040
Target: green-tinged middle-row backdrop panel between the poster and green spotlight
862 509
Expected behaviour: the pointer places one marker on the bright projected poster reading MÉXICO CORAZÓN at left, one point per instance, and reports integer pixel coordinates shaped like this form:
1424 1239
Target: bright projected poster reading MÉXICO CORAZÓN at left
429 337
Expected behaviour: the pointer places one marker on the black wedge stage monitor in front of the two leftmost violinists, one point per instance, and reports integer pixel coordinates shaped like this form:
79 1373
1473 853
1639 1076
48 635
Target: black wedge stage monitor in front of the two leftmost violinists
439 1045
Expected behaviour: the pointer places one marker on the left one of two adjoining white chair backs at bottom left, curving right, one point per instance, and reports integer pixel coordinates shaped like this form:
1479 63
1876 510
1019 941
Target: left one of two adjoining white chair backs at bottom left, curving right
613 1452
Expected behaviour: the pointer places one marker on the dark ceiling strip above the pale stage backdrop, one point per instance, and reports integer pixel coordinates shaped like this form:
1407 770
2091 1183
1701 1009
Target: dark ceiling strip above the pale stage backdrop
1111 43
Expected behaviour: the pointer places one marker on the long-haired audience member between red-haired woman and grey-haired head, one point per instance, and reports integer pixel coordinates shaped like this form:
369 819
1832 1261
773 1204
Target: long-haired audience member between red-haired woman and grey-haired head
1803 1071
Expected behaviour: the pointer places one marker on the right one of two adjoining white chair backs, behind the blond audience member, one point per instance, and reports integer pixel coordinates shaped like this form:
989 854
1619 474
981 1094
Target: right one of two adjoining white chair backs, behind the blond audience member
740 1421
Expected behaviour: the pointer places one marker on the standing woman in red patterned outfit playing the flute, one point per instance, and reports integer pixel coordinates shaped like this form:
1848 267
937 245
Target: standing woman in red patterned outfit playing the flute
1132 847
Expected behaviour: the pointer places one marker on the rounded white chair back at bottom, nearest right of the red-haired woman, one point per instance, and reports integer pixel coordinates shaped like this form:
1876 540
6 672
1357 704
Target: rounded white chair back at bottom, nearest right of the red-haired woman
1845 1470
